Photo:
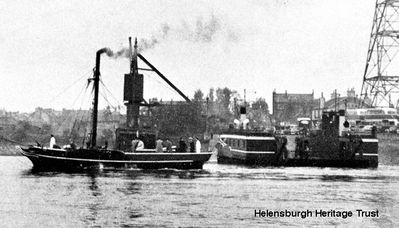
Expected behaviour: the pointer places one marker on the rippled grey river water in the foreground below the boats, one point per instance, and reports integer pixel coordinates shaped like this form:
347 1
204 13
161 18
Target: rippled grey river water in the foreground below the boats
217 196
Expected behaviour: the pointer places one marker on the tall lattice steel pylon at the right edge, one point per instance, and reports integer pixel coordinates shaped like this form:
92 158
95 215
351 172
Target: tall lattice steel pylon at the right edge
381 74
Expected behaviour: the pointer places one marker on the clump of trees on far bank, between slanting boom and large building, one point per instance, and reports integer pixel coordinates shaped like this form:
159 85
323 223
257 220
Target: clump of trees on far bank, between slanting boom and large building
210 113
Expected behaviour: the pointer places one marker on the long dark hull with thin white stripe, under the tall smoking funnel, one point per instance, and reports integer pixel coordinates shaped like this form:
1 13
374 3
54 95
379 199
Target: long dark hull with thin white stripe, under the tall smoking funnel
81 159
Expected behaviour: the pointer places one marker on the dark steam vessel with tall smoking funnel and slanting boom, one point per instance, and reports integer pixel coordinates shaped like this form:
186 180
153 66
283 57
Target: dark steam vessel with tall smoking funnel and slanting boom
94 156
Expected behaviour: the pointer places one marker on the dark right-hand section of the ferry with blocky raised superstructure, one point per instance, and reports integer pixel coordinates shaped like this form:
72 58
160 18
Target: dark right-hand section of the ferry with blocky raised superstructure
335 144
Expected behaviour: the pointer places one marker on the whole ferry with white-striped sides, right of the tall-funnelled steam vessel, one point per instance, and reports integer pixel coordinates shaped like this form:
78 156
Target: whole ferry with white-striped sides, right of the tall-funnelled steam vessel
333 145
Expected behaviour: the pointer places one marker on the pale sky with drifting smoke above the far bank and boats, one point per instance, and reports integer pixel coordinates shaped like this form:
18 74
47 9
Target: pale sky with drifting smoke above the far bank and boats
48 48
